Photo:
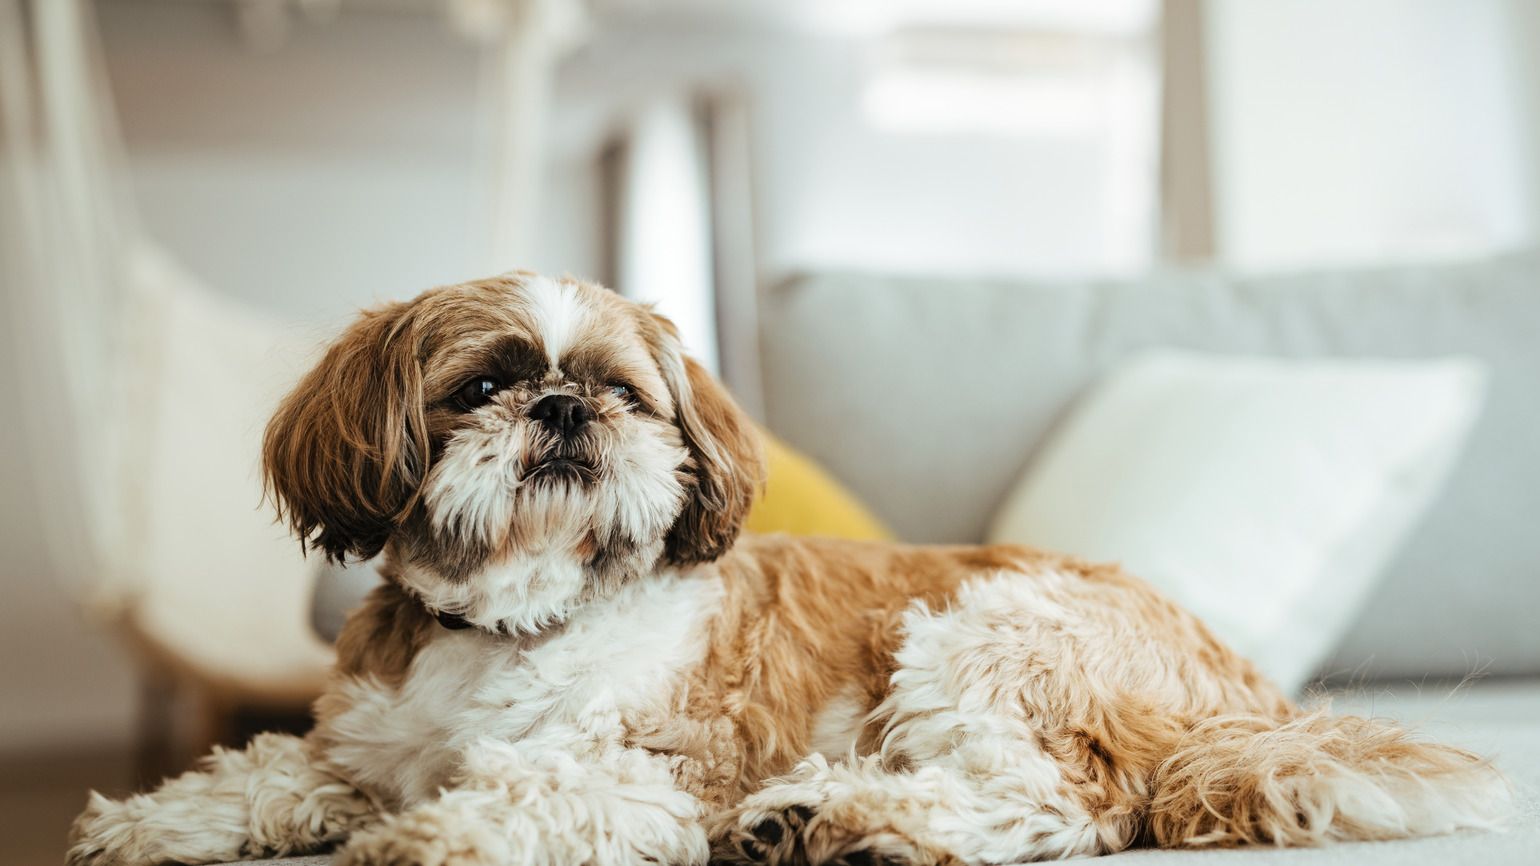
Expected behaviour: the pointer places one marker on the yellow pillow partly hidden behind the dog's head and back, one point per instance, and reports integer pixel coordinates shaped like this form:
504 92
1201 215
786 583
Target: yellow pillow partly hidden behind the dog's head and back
800 498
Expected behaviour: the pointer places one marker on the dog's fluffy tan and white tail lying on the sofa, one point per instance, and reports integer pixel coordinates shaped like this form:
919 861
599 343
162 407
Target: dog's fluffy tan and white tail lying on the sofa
1317 779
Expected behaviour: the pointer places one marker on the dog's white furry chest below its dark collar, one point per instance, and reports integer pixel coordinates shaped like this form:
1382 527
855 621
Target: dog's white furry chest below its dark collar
572 691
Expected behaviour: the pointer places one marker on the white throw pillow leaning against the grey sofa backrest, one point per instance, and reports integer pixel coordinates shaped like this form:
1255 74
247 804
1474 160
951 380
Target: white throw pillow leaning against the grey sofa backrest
1264 495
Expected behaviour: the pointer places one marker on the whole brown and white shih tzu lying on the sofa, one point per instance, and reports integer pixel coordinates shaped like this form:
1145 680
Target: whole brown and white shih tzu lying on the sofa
577 659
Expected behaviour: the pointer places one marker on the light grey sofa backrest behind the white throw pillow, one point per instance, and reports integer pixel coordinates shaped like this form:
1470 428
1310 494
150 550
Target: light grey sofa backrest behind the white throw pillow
928 397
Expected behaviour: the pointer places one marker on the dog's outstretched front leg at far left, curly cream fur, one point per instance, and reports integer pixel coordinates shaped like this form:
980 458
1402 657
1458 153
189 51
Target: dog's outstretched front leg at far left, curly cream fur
269 799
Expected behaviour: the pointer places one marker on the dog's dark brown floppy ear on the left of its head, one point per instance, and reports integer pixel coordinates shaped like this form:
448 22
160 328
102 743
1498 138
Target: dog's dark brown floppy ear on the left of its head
347 451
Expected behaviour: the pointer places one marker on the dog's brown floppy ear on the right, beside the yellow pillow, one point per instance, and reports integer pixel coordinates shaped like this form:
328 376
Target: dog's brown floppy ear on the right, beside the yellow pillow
726 465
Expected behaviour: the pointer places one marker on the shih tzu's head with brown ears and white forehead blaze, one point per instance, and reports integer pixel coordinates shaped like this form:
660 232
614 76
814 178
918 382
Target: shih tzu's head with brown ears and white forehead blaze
520 445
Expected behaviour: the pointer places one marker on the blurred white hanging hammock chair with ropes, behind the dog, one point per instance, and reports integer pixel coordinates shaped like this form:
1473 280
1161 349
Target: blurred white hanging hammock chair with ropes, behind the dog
153 498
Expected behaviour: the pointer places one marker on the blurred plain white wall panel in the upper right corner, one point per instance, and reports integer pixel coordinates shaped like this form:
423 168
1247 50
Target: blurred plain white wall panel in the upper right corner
1367 132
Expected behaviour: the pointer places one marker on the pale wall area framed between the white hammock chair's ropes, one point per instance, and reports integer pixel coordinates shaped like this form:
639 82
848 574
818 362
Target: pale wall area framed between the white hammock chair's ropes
340 170
